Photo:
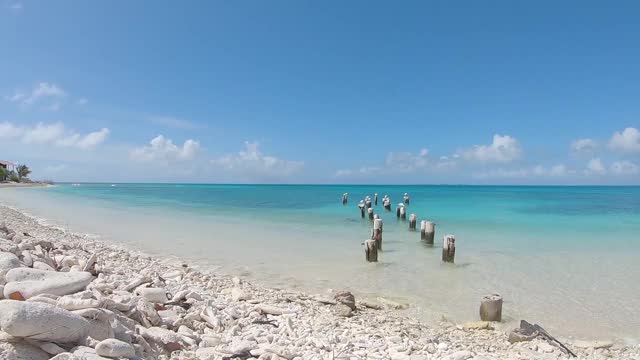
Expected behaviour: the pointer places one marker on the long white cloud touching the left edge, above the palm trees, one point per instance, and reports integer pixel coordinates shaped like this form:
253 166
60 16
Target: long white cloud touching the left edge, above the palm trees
53 134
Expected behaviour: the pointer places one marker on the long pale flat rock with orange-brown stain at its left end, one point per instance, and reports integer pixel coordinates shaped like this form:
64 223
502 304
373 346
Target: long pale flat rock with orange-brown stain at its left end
31 282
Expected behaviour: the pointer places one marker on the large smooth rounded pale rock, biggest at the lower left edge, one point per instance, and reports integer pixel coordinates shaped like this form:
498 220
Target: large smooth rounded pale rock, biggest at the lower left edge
40 321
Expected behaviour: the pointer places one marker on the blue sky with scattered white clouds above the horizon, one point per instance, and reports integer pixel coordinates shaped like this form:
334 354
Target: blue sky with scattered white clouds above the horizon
420 92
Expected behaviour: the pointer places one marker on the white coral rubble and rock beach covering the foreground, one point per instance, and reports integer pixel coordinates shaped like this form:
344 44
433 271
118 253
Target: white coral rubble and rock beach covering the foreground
69 296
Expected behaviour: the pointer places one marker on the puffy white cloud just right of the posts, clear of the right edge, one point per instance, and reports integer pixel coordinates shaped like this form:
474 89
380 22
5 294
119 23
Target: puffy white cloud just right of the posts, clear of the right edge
503 149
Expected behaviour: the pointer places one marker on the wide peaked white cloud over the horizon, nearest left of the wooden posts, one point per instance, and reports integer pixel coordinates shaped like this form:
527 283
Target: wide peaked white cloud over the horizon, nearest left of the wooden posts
252 162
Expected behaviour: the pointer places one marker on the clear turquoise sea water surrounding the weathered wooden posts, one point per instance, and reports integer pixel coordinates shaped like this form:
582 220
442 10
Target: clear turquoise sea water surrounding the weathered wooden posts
565 257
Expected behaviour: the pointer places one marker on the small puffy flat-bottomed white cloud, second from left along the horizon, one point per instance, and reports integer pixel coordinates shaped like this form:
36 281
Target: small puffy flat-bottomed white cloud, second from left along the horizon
163 149
